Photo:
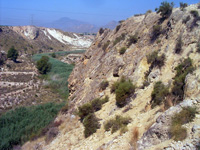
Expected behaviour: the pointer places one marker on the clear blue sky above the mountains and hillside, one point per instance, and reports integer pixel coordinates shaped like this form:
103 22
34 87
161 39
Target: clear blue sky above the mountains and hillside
98 12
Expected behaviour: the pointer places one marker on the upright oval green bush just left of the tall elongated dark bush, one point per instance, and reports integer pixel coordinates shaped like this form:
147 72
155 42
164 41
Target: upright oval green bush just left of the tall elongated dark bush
158 94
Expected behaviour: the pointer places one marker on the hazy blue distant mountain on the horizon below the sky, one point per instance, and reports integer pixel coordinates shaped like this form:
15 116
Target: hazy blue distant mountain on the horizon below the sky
71 25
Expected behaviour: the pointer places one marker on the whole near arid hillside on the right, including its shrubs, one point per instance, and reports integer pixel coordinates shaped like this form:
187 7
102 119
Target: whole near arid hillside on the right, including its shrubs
137 87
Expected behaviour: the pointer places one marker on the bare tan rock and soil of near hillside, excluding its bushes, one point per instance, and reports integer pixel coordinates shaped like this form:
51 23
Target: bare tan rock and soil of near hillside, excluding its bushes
149 127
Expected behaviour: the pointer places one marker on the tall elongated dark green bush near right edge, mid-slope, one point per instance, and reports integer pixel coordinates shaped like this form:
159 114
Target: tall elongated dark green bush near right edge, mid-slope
179 81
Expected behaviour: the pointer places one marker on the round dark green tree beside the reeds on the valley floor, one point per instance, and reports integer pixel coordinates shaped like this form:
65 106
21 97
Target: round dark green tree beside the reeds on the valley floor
43 65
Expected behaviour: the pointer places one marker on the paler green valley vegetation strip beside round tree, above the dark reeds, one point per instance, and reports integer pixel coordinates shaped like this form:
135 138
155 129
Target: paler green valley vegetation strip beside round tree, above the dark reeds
59 73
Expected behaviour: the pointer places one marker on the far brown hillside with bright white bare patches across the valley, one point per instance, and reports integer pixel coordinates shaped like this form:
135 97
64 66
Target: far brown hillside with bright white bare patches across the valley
31 39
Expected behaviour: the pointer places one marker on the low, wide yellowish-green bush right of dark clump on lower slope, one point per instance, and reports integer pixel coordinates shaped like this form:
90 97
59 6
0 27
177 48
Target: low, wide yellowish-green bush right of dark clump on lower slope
118 123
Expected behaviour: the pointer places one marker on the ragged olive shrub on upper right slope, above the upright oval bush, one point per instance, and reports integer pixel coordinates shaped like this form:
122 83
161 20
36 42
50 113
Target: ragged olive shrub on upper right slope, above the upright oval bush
155 60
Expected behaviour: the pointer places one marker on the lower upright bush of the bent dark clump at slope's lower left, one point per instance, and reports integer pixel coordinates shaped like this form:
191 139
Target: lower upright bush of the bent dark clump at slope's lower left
91 125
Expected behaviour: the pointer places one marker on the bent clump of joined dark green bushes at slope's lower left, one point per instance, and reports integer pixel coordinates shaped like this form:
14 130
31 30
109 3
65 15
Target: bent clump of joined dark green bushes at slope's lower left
87 116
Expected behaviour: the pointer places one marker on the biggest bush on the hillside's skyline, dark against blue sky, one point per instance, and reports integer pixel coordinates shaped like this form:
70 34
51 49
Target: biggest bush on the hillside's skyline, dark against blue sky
165 9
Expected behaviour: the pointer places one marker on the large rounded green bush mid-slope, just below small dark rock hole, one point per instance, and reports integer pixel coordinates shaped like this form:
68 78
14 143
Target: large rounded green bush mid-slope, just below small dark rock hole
123 91
